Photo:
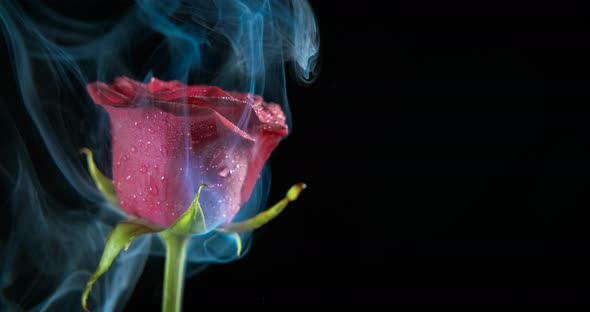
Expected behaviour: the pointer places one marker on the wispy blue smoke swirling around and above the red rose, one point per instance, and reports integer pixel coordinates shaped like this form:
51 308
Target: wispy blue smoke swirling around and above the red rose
53 218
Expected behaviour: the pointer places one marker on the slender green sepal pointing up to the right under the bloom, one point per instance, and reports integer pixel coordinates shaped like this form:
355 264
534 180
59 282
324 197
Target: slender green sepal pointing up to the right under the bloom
265 216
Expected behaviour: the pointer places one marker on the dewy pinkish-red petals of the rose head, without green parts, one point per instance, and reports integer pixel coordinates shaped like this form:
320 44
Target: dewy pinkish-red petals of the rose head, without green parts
168 138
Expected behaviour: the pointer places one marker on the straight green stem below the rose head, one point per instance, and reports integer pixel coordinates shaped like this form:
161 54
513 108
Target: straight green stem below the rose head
174 271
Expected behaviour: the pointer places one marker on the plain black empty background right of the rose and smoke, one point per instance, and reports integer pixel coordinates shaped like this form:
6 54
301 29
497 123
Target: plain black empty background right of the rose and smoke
445 147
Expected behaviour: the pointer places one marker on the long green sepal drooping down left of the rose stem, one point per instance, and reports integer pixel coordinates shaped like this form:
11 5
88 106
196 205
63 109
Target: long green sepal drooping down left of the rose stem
121 236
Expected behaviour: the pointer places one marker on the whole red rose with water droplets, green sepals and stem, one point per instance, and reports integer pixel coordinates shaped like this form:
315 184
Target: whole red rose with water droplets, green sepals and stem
168 139
